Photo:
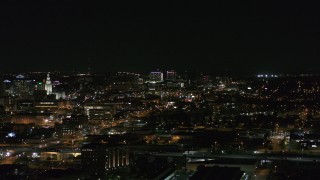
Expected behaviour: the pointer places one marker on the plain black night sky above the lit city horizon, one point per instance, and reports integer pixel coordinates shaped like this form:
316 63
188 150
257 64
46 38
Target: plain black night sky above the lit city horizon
241 37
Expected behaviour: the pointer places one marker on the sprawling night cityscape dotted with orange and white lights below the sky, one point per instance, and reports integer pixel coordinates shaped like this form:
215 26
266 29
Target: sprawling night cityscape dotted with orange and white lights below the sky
162 125
